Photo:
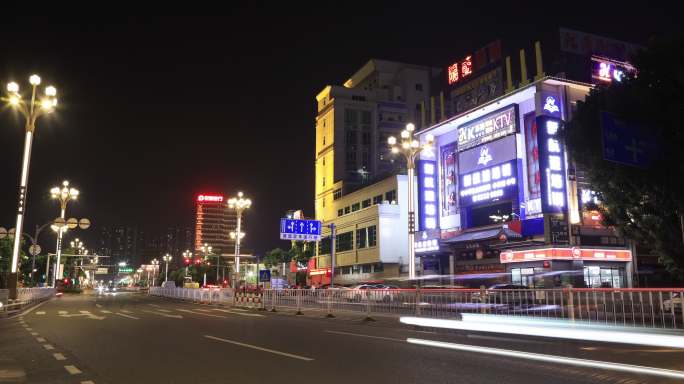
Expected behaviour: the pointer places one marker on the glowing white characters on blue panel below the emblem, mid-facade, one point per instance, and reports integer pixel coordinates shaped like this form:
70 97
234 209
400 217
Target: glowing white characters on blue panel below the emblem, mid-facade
488 184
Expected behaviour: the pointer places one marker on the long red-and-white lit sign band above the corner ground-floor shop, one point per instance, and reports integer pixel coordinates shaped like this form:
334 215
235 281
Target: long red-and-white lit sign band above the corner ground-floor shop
574 253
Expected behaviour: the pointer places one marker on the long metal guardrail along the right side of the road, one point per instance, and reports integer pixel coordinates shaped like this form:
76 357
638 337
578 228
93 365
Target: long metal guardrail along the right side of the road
649 308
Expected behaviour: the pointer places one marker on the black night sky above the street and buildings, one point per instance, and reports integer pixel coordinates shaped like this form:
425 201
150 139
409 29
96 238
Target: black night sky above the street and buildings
156 110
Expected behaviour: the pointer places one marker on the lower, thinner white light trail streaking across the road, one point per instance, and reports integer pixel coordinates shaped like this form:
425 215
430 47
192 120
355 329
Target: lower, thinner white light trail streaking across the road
596 364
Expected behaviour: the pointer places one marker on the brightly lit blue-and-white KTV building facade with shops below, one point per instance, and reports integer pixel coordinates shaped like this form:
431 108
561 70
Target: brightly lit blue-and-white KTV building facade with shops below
500 201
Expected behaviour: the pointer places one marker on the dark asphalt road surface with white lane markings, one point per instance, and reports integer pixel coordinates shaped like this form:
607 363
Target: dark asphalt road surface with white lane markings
134 338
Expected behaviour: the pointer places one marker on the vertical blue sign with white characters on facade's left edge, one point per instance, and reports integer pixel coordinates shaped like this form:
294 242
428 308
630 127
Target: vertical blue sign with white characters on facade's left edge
427 195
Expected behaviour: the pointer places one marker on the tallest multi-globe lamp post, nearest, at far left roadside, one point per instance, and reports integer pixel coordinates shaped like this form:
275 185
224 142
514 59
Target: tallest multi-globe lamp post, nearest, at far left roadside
31 108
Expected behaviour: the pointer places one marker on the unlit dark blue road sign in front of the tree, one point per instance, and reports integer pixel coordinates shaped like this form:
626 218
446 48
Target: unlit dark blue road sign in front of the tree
626 144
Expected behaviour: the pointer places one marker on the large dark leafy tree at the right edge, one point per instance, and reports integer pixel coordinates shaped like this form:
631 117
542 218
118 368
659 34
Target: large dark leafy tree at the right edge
645 205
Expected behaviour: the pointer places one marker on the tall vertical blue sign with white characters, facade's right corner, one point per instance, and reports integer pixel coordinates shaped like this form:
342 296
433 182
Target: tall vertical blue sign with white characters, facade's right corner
551 165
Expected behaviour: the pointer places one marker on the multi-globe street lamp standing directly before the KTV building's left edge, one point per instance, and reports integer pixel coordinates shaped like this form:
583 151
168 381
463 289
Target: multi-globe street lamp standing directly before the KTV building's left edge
410 148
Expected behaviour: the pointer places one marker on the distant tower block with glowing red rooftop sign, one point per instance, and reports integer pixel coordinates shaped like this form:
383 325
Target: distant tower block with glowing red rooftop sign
213 223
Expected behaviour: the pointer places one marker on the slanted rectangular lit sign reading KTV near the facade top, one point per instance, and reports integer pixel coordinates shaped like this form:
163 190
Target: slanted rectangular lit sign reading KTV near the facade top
488 128
